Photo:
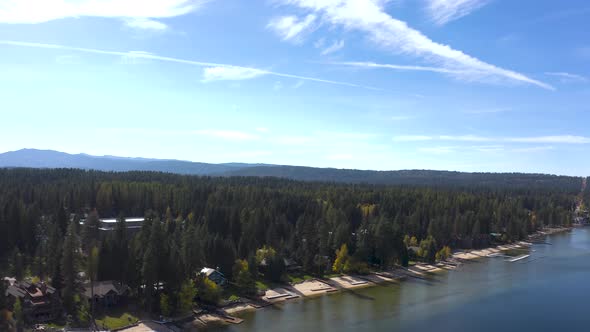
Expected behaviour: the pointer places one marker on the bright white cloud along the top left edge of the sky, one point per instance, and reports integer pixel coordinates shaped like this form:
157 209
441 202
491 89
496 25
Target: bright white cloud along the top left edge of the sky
39 11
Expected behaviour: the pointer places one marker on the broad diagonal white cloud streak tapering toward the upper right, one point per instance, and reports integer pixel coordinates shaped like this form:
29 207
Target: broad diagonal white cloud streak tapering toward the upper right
396 36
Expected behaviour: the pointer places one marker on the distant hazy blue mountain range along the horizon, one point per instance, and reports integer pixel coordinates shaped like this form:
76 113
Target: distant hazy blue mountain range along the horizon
33 158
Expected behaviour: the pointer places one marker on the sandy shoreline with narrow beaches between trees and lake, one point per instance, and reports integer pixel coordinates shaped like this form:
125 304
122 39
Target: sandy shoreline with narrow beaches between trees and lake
319 287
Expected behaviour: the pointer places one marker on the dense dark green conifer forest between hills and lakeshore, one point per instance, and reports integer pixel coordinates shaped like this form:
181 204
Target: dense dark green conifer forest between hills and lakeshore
202 221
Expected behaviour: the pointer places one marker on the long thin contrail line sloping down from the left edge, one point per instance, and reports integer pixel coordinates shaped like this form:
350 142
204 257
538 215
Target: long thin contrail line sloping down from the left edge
152 56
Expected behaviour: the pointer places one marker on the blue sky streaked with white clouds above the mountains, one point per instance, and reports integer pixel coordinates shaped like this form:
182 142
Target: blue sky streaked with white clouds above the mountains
466 85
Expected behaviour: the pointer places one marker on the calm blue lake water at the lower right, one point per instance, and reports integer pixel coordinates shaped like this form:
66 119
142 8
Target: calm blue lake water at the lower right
550 291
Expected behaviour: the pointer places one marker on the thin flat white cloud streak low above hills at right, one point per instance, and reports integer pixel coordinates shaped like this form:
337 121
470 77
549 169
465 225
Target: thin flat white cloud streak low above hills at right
556 139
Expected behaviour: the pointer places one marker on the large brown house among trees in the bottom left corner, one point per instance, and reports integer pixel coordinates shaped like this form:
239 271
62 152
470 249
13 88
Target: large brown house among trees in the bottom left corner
39 301
